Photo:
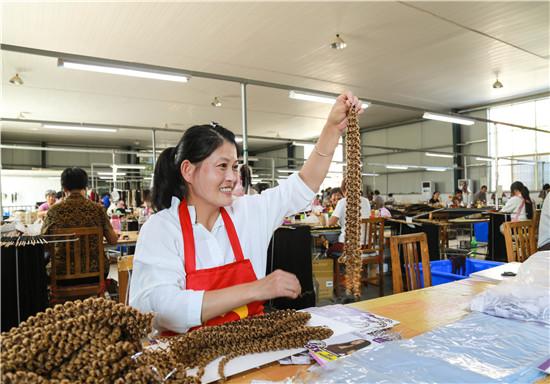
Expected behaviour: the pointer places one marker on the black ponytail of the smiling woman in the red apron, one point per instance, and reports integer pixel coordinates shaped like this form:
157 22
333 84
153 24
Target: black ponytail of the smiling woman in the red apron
167 181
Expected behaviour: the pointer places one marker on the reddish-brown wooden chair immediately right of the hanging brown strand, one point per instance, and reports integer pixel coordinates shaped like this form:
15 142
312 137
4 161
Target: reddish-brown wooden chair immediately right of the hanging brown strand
372 251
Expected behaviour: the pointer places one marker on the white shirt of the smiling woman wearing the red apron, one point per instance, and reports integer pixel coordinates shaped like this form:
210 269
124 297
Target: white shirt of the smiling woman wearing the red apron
158 278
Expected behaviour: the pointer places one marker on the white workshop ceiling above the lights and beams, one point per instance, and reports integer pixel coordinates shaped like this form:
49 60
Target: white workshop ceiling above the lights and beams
433 55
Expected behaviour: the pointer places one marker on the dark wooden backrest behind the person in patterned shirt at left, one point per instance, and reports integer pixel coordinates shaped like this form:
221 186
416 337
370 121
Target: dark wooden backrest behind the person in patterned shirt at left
78 259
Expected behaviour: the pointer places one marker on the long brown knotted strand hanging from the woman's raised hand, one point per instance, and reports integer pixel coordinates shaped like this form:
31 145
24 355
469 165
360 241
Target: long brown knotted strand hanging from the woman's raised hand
351 256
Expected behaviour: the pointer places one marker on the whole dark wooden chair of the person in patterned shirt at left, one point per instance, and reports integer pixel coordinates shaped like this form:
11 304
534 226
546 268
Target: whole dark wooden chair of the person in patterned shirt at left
83 282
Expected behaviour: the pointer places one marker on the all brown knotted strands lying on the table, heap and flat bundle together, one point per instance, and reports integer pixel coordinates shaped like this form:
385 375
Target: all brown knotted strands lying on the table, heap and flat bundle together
98 340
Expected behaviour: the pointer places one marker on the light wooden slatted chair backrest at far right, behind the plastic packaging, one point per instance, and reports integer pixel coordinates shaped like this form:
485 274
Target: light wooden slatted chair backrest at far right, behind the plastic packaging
520 240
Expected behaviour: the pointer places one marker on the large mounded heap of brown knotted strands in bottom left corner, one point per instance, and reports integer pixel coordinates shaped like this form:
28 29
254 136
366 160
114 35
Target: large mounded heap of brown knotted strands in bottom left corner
80 341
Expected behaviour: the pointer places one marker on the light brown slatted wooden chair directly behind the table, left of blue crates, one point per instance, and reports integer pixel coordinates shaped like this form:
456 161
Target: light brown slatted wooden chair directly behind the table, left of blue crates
410 244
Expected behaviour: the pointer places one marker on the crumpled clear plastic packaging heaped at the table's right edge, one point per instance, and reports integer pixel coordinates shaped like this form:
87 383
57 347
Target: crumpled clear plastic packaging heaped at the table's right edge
524 297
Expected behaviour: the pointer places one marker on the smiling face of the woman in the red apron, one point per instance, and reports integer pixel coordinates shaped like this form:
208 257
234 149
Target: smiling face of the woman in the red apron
212 180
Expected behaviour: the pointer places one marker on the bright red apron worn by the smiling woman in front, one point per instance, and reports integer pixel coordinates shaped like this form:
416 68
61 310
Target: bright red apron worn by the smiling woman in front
238 272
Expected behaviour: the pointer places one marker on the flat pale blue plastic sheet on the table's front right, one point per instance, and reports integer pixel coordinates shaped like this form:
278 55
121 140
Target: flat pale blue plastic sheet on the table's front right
477 349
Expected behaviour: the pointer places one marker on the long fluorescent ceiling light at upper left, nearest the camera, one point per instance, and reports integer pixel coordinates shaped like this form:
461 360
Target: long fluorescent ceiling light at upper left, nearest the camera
125 71
